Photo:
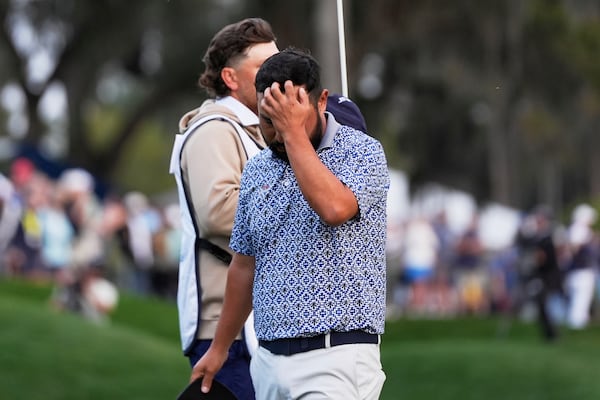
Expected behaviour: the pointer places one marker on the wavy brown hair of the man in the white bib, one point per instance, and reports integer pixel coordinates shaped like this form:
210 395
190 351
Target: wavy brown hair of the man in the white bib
228 45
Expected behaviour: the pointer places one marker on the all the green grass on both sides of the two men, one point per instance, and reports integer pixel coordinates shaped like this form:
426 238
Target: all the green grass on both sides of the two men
51 355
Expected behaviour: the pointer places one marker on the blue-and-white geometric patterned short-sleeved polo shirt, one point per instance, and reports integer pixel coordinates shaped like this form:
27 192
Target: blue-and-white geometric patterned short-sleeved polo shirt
310 277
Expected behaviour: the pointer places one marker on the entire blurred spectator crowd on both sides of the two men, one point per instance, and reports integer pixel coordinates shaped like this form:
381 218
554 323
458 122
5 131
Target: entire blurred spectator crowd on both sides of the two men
91 249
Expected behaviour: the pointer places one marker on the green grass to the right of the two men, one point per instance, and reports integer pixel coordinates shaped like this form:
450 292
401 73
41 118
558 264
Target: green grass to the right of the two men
469 366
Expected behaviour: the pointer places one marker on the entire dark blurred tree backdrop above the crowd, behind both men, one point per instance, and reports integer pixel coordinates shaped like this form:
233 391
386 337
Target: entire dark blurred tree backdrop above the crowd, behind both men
499 98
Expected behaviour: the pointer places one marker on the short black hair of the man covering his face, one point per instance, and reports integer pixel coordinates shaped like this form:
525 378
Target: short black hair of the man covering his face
294 65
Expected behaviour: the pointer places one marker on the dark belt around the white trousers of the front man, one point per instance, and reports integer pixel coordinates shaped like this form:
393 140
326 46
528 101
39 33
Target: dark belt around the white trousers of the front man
291 346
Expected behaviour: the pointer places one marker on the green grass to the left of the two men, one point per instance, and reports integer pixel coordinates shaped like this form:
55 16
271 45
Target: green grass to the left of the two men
58 356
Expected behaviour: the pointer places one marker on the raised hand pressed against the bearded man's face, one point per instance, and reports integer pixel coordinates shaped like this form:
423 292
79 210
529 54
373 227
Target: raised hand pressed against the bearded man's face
288 109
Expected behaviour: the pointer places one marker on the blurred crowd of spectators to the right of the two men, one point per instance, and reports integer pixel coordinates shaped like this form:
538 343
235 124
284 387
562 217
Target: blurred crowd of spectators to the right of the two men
547 272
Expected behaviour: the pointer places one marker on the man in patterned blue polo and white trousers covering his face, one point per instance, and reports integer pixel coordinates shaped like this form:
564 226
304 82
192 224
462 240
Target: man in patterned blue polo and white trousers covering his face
309 242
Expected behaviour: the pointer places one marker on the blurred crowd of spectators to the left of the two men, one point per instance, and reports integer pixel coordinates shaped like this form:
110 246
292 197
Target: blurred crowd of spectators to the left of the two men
90 248
